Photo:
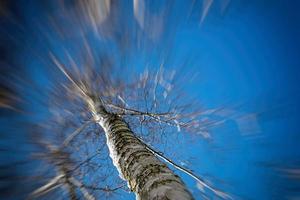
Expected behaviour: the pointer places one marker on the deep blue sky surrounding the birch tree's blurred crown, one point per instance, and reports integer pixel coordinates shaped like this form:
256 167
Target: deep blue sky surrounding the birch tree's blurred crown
243 58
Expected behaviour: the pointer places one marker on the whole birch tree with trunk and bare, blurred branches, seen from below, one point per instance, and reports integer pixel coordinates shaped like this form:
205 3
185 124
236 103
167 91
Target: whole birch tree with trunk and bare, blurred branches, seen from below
102 103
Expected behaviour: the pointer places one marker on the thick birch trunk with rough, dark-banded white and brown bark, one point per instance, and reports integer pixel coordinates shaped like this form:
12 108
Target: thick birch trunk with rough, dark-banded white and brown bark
145 174
